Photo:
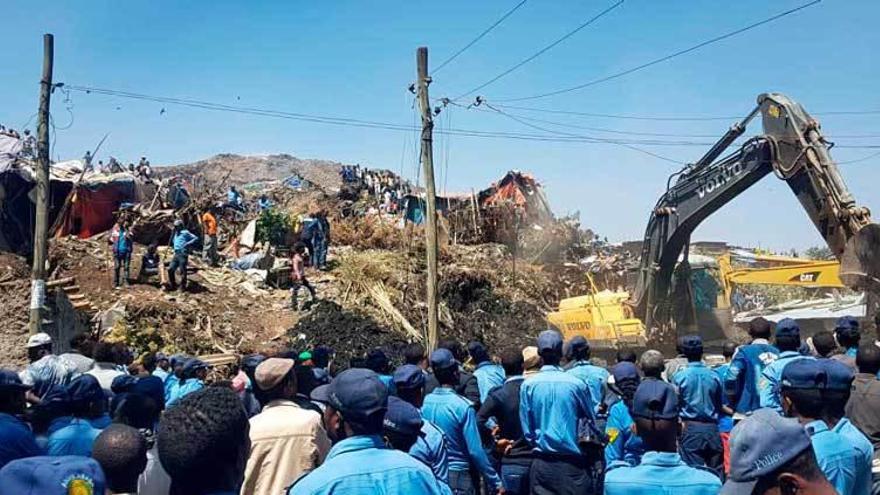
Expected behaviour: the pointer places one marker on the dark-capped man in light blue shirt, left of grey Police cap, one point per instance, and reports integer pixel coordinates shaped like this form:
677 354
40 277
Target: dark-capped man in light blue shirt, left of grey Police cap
655 408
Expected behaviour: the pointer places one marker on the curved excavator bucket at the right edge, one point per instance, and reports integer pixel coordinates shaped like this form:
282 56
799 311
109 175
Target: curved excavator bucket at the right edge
860 263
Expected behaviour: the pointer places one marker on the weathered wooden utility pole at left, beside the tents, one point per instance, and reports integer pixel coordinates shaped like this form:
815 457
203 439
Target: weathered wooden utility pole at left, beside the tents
41 222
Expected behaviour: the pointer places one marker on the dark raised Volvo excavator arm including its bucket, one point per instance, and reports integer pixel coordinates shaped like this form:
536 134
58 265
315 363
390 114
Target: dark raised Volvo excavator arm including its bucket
791 147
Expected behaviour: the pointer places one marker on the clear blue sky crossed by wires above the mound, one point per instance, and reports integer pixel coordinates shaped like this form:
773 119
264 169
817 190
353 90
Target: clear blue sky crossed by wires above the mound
355 59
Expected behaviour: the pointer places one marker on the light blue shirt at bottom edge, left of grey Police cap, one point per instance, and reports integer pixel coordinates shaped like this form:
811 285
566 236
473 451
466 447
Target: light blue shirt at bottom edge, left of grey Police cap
660 473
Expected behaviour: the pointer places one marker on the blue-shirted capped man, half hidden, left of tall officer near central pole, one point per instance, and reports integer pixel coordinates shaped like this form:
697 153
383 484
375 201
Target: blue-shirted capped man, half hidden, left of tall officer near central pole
430 447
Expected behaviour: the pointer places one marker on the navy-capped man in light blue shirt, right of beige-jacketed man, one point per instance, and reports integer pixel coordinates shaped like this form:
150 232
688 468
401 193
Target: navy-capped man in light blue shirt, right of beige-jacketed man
359 460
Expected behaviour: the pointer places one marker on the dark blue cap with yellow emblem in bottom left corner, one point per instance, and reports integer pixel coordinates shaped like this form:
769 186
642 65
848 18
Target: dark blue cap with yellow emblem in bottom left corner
47 475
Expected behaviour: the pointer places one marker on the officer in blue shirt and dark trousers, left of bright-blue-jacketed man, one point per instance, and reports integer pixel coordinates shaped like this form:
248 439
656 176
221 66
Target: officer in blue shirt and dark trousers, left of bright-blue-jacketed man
700 392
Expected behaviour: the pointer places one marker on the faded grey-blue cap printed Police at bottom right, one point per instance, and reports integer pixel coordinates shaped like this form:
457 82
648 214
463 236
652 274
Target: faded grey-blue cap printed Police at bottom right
759 445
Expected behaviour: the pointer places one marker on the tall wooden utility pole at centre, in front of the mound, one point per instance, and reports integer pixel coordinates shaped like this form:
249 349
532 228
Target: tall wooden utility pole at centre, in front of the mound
431 200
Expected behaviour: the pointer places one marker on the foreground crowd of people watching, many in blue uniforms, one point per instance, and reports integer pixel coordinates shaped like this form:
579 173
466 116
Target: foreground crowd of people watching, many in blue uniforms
795 416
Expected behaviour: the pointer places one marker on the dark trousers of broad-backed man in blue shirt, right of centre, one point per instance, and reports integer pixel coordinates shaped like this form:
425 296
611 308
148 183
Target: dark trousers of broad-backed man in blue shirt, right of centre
561 476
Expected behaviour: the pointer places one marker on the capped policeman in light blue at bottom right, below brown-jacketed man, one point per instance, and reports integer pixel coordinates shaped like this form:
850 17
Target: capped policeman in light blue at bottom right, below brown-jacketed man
835 396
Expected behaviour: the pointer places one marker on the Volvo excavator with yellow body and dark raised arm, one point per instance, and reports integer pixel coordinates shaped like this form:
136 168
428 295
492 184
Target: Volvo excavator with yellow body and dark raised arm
792 148
